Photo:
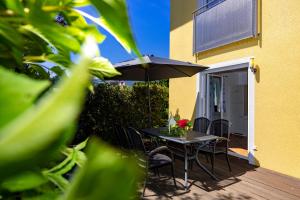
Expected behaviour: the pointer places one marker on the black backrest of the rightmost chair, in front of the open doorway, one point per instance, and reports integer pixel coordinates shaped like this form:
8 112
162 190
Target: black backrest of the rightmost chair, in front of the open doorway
220 127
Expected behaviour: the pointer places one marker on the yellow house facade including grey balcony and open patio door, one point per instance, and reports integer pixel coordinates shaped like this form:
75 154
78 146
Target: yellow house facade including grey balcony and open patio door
252 49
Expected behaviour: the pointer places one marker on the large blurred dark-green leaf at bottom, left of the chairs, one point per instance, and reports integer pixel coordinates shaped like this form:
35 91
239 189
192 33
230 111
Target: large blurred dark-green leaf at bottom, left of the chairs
106 169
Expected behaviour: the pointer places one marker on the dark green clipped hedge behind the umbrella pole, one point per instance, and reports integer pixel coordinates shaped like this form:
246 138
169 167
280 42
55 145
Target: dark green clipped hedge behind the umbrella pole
112 105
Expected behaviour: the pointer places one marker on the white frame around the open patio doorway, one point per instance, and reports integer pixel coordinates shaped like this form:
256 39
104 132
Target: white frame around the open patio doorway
227 66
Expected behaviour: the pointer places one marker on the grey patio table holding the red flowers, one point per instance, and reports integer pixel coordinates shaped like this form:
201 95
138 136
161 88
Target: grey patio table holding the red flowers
192 137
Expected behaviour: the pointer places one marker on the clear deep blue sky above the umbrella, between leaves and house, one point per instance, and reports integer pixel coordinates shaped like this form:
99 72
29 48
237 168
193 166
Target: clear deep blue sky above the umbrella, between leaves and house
150 21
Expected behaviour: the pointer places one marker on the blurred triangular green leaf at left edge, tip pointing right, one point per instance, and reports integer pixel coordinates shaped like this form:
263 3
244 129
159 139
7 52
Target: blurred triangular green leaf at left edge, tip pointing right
18 93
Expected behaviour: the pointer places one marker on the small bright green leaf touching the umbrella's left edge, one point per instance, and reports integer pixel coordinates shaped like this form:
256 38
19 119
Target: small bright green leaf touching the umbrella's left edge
101 67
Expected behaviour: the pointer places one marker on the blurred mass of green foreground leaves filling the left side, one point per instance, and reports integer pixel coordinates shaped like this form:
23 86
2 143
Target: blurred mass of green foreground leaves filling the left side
38 119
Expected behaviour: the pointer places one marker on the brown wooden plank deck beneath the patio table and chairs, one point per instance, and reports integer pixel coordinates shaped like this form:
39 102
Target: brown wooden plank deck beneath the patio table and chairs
244 182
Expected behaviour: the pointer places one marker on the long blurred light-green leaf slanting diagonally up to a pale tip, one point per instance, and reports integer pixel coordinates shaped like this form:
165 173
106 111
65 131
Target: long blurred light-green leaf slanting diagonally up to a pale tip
28 139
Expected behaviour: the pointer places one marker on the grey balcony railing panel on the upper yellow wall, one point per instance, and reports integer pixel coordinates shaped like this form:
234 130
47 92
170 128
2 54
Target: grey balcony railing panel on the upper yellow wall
223 22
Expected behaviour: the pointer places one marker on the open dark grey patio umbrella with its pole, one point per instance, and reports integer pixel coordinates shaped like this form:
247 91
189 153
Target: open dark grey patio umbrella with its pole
151 68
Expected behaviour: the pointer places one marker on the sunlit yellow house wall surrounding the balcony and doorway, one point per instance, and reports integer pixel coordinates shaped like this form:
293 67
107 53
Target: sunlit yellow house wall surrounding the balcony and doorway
277 87
